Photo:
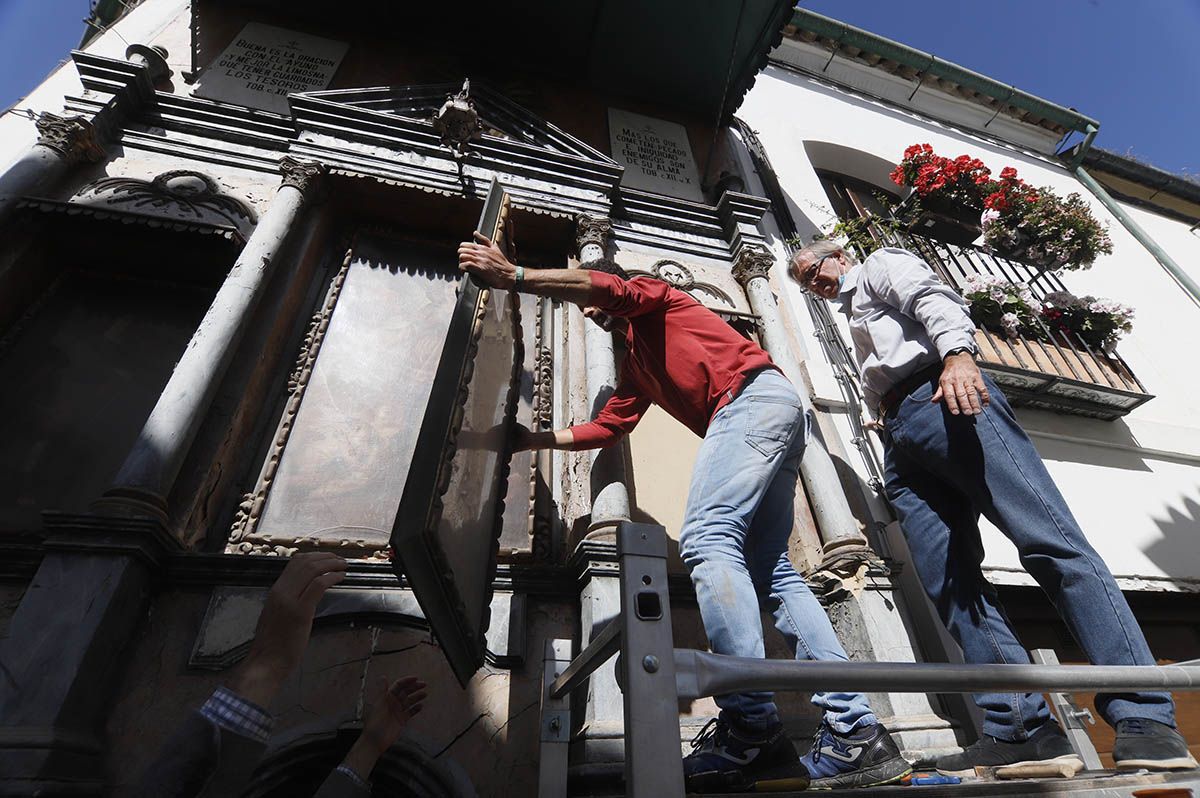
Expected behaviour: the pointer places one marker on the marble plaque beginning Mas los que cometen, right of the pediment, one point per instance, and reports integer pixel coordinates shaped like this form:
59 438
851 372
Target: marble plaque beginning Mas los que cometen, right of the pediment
656 154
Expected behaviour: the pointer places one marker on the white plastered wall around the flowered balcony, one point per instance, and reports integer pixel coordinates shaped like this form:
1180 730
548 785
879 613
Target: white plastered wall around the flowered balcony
1133 484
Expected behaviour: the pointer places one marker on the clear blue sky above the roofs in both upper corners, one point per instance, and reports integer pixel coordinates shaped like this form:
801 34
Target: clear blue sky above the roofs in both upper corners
1131 64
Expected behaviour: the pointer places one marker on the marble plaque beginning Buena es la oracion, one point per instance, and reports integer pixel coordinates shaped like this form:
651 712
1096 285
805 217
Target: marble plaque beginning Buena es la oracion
265 64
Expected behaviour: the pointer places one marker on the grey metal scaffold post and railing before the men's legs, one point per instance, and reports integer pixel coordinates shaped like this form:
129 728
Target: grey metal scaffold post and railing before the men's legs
655 676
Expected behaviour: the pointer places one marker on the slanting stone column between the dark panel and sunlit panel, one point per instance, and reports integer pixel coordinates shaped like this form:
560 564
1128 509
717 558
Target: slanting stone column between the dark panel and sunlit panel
146 481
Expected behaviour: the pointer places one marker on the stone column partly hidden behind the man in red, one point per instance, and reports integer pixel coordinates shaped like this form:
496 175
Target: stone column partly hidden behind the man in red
610 495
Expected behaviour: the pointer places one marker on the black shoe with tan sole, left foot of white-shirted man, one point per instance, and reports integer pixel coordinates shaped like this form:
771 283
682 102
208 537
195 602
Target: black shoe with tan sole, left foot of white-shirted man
1046 754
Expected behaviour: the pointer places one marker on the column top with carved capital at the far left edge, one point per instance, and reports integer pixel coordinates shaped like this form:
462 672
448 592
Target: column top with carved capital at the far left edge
62 142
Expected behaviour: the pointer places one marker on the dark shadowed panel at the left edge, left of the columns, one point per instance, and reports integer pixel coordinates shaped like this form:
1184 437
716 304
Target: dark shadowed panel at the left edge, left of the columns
82 374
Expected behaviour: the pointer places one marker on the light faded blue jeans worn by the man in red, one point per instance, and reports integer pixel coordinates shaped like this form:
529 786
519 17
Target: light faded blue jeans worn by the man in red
735 544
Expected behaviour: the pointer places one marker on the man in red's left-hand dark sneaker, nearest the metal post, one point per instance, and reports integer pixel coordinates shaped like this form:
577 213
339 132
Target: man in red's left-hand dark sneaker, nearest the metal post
725 759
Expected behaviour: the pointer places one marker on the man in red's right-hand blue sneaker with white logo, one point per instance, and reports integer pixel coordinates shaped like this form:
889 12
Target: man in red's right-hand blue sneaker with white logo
865 758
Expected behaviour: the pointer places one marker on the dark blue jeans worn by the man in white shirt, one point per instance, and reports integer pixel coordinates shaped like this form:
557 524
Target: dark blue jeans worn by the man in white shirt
943 472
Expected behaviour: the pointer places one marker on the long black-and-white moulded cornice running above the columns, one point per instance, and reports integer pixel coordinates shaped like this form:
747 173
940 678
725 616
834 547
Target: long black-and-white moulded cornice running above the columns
362 142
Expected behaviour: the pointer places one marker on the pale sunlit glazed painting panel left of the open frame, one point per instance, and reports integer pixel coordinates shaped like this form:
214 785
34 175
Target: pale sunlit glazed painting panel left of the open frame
352 442
